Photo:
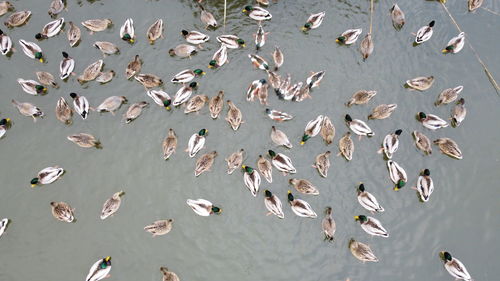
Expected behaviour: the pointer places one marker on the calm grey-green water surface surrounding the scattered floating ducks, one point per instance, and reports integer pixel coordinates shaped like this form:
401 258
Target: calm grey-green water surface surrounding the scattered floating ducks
242 243
